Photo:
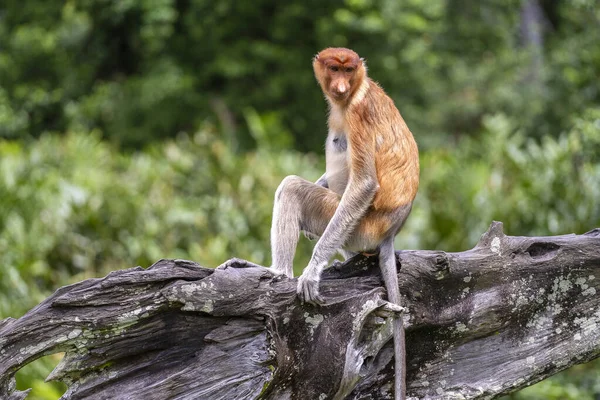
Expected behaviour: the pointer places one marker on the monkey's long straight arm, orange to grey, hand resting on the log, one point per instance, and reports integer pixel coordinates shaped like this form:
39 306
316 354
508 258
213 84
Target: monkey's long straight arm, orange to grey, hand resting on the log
355 201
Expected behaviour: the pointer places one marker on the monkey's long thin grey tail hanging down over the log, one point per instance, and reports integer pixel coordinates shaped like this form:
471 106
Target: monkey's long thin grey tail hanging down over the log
387 263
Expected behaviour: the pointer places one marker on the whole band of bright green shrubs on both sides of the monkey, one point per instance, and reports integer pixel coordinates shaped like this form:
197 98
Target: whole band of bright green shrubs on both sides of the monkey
72 207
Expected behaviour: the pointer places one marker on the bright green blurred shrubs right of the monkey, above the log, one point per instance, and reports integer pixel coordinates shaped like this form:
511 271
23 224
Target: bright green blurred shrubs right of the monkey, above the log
536 187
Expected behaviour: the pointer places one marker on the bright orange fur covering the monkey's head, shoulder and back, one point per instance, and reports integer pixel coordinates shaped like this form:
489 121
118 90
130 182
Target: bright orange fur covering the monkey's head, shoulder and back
379 141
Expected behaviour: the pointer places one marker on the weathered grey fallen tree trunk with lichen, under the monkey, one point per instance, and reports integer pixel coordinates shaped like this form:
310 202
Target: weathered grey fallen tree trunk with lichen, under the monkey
481 323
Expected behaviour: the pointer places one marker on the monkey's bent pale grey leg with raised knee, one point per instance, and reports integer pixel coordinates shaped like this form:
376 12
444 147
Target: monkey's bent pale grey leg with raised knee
299 205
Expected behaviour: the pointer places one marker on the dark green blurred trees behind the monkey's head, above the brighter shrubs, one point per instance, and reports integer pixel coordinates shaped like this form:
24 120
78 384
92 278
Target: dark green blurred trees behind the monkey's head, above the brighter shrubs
138 71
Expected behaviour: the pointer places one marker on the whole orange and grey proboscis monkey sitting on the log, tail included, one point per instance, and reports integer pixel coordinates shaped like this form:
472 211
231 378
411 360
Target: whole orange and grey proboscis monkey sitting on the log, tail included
366 193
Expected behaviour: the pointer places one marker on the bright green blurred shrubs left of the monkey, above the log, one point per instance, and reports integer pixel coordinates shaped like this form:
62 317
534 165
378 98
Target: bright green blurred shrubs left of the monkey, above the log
73 206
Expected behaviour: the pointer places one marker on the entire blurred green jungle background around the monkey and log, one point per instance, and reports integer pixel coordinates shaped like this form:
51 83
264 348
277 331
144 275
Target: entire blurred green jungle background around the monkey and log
135 130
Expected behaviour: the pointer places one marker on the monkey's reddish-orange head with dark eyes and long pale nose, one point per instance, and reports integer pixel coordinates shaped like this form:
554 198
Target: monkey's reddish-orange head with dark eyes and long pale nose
339 72
